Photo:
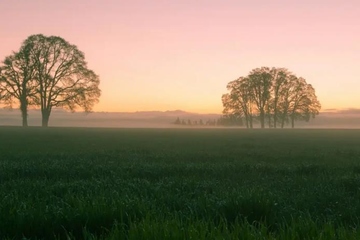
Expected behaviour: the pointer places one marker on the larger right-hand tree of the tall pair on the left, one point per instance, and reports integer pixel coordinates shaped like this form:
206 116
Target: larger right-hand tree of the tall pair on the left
62 76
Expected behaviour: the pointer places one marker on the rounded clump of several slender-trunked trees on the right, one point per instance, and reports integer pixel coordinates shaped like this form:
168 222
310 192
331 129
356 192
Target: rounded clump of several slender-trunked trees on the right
272 96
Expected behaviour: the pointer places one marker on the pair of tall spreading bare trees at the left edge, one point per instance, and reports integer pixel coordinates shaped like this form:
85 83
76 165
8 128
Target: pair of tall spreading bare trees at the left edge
47 72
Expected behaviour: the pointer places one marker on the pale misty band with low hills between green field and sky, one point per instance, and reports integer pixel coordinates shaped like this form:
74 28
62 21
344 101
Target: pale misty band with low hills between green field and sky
330 118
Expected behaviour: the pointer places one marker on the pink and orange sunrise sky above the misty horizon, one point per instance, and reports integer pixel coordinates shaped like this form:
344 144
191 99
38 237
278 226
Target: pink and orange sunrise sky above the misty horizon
180 54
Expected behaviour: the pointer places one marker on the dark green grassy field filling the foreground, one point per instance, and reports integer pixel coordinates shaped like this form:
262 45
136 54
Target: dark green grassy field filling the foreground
72 183
